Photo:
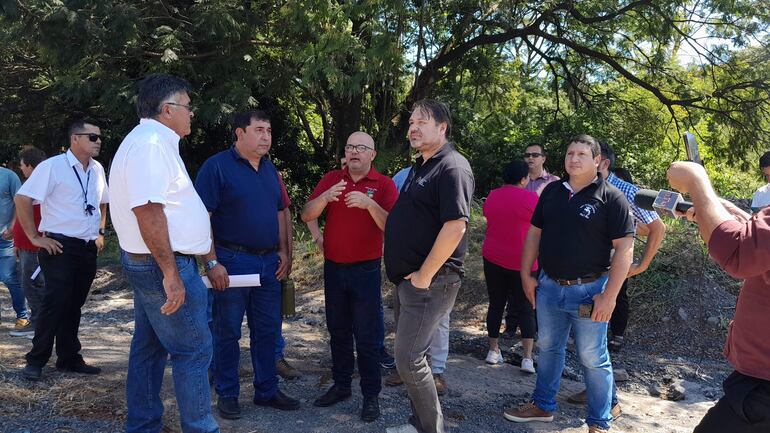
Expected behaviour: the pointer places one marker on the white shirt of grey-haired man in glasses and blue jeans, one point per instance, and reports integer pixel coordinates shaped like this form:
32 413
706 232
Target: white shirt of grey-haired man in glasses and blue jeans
147 168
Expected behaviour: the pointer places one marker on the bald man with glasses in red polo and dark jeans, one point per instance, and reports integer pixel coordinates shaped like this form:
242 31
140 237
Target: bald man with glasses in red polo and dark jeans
357 200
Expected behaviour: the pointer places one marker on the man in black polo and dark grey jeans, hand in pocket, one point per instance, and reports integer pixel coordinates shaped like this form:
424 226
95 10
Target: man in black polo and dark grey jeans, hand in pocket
425 247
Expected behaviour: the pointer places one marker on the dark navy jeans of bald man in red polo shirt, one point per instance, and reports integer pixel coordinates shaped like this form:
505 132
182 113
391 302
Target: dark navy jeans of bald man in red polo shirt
353 302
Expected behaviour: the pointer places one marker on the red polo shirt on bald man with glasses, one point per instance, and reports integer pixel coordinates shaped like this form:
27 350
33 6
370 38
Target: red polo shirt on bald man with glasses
350 234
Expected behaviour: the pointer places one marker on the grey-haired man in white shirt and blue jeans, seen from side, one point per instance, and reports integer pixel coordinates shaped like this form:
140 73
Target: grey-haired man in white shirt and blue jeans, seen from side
162 225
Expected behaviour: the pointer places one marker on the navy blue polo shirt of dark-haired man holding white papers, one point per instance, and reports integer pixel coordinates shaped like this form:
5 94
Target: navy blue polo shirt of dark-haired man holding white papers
243 202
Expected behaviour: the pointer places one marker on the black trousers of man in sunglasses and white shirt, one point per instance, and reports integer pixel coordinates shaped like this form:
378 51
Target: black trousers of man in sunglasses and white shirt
68 278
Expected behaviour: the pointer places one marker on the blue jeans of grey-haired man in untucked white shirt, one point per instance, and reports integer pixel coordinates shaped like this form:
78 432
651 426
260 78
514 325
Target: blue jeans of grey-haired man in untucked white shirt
184 335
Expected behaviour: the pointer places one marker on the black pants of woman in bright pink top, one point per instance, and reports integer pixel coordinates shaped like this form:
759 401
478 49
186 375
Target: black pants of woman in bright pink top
504 284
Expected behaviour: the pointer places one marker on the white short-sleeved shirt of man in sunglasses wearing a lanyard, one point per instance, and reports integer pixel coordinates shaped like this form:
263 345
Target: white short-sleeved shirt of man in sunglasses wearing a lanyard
63 195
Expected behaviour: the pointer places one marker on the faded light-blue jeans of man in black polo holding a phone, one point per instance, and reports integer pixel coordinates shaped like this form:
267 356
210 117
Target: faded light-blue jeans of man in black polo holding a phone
557 312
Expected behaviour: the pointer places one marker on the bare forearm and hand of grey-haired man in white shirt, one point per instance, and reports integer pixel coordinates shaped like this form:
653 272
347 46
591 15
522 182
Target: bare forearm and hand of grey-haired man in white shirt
153 227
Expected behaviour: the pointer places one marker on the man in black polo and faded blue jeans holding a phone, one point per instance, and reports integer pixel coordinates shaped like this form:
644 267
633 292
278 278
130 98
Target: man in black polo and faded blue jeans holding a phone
576 225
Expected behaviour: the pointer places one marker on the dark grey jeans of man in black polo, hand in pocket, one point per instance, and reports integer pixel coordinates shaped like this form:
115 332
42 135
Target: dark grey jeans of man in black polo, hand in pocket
418 313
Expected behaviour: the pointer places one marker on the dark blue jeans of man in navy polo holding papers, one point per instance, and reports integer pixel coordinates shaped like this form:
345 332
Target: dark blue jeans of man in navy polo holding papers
262 306
